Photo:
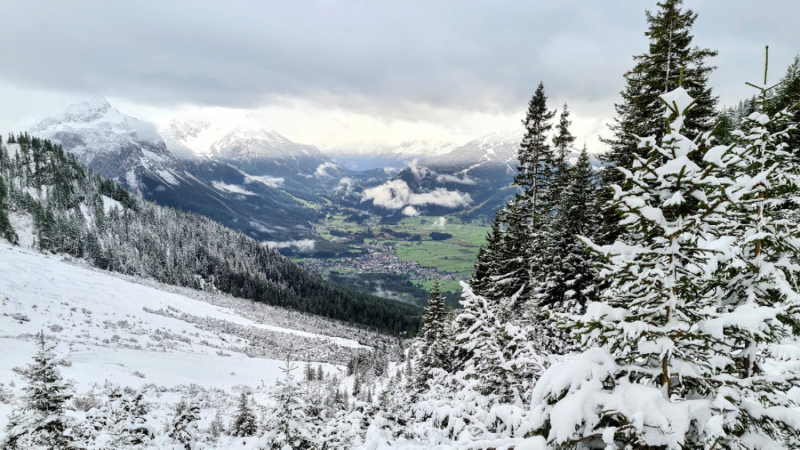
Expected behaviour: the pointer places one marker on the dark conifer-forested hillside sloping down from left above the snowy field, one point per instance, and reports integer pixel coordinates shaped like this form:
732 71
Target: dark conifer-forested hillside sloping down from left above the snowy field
84 215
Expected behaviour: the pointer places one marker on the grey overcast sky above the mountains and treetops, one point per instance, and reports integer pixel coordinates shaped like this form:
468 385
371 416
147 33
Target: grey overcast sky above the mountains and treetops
326 72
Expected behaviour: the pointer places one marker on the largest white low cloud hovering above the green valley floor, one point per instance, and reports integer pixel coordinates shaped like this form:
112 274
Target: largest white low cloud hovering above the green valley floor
396 194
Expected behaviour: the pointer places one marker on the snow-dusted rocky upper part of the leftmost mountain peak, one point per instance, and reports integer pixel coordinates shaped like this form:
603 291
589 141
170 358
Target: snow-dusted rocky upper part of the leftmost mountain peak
113 144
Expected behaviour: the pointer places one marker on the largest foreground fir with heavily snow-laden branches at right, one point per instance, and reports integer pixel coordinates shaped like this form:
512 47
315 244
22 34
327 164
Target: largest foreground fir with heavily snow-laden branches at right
665 364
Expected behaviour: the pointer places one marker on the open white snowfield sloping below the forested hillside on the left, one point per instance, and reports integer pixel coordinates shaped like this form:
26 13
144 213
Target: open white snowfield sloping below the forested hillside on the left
140 333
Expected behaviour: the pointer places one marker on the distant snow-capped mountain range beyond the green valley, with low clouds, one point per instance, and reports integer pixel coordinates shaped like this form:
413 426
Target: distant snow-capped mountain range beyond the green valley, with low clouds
234 169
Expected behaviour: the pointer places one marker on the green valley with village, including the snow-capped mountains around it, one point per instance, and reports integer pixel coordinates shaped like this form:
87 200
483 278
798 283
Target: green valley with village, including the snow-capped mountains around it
323 208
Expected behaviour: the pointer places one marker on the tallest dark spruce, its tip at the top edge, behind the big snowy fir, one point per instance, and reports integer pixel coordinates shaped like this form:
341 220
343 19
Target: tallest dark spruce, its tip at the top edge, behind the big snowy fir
670 56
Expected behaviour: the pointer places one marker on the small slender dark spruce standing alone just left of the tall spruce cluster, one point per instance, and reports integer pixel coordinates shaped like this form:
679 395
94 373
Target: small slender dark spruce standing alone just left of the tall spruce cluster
434 339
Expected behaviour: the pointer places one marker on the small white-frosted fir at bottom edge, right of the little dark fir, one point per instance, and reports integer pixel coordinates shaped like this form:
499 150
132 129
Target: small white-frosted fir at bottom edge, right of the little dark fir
287 427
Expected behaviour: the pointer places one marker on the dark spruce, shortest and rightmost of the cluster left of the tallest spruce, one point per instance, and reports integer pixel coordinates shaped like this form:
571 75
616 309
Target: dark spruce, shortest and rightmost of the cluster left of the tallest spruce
568 276
